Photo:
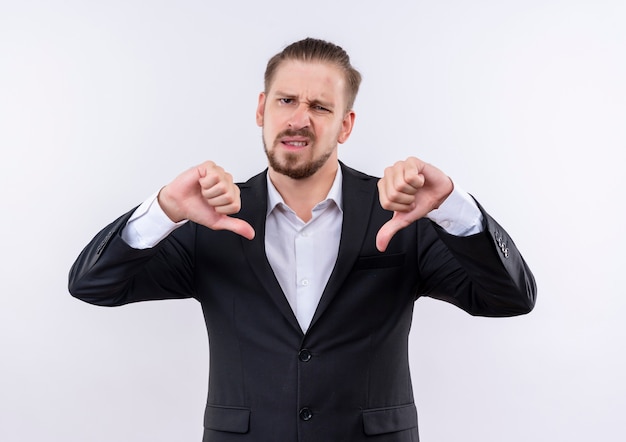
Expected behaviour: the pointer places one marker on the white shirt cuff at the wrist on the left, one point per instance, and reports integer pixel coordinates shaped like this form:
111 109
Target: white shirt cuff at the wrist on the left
148 225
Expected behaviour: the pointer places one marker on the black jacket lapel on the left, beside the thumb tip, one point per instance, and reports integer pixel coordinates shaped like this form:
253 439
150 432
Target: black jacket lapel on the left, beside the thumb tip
253 210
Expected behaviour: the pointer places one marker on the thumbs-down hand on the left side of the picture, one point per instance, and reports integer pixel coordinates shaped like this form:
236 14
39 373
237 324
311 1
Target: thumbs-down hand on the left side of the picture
206 195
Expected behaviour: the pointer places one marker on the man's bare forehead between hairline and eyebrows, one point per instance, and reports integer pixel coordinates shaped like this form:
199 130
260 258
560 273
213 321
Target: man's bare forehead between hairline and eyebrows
303 78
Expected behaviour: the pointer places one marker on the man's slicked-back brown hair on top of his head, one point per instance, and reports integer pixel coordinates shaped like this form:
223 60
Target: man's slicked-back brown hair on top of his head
311 49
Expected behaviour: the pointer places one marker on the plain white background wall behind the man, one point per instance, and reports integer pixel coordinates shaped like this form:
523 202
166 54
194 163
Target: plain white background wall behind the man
522 103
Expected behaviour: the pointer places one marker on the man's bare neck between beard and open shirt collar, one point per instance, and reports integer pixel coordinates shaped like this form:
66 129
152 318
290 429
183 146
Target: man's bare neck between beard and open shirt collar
302 195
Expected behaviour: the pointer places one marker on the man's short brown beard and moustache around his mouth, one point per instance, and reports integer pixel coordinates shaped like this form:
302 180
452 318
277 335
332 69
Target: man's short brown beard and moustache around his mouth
291 165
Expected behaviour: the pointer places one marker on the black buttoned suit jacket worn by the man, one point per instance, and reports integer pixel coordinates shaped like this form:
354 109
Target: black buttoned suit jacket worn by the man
347 378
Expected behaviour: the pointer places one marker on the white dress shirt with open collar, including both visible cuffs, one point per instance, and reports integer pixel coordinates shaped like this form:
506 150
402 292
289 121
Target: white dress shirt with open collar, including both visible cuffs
302 255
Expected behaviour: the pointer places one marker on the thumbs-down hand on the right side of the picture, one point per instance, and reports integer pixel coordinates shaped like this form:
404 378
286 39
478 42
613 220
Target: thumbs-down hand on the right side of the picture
411 189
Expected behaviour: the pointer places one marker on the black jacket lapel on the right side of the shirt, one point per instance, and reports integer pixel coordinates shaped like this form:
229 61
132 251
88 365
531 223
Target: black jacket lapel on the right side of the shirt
358 197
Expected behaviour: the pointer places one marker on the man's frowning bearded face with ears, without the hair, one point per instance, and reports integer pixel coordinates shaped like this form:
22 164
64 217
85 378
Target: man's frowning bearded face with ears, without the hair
304 116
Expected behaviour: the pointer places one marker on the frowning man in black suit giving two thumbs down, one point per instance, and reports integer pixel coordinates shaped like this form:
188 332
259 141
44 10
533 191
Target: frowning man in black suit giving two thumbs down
307 274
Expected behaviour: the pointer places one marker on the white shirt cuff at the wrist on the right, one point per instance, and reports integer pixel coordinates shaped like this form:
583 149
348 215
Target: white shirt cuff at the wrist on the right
458 215
